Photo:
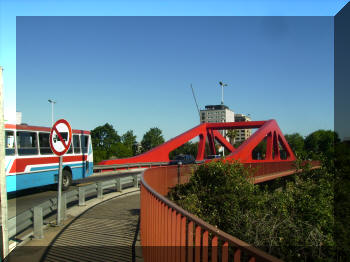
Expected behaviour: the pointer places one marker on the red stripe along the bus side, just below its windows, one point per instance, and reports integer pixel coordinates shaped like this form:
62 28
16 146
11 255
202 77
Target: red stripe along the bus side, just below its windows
19 164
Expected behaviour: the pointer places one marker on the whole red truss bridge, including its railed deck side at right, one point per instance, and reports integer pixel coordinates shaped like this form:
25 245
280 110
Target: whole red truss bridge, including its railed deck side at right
277 161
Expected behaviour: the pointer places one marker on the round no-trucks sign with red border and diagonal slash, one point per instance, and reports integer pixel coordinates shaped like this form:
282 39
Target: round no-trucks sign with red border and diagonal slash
60 137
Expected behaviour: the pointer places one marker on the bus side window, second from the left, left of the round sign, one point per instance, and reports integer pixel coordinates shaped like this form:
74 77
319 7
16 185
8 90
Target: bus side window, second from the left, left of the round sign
27 143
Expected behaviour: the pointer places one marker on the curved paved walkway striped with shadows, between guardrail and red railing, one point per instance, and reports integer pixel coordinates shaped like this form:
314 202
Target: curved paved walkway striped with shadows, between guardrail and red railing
105 232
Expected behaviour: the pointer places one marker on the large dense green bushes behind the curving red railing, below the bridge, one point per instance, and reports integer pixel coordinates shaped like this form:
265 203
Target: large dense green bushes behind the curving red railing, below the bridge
292 220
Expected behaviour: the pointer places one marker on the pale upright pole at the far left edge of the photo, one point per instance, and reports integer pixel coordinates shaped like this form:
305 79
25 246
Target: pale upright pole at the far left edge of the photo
4 210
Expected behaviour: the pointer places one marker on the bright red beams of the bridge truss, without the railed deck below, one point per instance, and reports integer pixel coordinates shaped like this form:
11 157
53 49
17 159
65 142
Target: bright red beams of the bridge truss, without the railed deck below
208 131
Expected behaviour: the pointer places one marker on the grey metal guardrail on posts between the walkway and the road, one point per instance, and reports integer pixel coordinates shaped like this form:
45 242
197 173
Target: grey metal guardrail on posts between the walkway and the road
34 217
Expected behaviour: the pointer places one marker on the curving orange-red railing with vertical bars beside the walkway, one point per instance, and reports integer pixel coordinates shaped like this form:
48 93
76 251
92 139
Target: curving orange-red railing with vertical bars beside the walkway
167 230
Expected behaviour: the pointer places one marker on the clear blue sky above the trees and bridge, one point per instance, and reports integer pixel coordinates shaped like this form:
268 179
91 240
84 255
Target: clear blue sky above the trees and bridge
135 72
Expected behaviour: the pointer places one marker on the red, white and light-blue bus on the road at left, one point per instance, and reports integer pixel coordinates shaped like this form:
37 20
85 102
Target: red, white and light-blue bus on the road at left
30 162
